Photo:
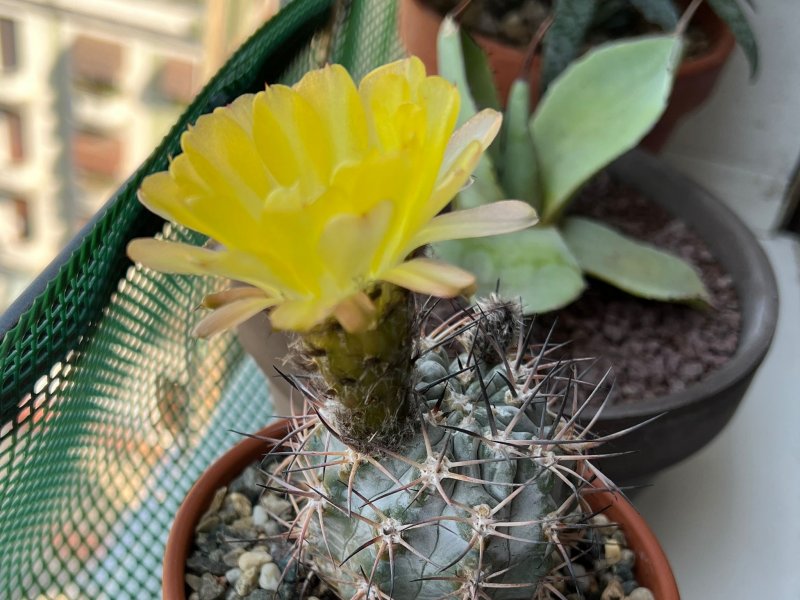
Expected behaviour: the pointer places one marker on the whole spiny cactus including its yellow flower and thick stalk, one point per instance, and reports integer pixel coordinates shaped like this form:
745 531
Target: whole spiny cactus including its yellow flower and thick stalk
433 459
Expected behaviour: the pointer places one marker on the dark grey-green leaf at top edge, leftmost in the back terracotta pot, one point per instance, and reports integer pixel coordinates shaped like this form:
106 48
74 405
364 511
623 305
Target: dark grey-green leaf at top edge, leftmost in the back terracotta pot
566 36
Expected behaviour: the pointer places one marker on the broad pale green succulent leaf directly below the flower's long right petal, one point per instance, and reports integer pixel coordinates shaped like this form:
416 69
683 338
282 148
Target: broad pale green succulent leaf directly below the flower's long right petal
534 264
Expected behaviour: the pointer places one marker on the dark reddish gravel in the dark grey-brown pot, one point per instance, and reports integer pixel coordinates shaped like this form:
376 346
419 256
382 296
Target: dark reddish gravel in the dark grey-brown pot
655 348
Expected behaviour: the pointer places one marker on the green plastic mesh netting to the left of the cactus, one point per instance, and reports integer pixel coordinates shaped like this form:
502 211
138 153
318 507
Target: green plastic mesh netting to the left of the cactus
109 409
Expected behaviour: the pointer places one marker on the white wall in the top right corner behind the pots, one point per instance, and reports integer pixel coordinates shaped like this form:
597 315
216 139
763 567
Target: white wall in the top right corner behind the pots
744 143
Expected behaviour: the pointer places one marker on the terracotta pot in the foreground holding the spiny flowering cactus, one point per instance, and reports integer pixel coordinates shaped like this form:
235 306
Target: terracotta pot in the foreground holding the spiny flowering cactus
652 567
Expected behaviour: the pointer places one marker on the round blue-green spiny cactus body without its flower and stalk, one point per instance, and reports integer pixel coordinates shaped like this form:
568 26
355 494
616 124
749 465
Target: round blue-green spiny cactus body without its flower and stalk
473 500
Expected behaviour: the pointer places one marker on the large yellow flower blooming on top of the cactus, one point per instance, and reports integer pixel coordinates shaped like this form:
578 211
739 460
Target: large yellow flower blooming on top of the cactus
316 191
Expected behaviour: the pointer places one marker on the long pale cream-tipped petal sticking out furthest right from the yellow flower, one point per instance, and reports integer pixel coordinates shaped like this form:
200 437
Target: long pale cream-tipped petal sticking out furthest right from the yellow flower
489 219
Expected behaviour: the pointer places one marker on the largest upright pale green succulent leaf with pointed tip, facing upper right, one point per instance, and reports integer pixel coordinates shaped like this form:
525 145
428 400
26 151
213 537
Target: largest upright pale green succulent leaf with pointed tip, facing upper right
601 106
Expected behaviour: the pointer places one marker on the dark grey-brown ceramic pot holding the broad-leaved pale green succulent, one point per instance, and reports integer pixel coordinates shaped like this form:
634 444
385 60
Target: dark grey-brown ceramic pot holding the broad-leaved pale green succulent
690 418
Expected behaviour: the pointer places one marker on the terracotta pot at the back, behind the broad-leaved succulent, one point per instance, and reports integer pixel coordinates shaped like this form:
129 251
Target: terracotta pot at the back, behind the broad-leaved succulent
419 24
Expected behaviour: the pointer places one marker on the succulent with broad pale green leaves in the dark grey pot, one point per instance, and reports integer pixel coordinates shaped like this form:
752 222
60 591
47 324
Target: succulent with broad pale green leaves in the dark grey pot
599 108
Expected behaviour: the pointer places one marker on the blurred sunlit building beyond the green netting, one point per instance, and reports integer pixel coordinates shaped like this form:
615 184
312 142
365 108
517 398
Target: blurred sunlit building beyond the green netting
87 89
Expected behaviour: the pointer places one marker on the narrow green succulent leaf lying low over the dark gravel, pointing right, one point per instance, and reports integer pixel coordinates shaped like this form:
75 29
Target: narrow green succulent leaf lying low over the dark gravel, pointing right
632 266
